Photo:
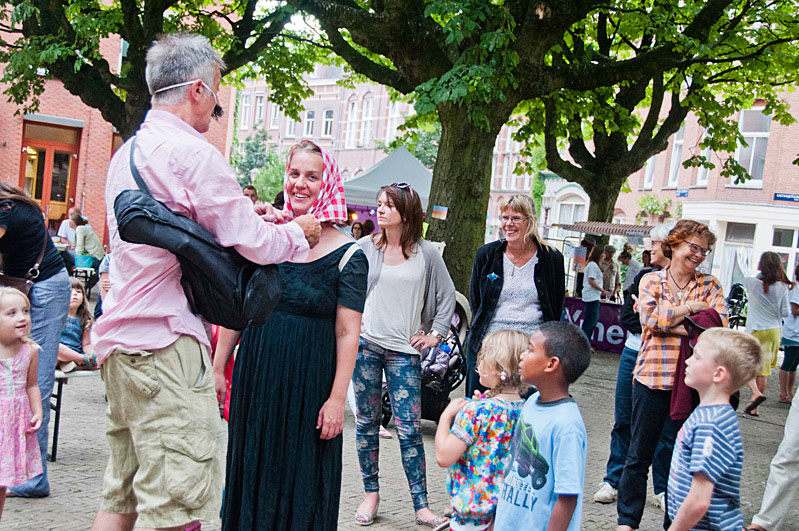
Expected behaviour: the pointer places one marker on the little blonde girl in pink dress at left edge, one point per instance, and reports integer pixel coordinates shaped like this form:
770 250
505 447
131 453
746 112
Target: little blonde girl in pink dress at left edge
20 400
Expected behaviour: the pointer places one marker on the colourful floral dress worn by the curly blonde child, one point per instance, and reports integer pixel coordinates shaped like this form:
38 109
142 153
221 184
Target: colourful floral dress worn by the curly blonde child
487 427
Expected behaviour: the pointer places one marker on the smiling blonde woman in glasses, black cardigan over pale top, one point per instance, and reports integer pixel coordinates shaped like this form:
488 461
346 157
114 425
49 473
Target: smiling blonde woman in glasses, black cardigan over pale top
517 283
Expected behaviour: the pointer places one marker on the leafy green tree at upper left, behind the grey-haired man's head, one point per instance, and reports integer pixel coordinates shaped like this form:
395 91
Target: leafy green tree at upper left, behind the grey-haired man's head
62 39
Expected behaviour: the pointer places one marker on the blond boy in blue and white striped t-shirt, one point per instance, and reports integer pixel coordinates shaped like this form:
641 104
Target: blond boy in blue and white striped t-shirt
705 477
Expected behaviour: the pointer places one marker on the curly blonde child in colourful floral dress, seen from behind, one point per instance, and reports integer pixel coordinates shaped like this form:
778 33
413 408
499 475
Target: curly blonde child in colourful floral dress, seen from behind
473 437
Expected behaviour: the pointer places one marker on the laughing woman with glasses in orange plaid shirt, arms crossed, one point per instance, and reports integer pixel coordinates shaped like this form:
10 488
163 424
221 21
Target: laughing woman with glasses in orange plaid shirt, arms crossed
666 298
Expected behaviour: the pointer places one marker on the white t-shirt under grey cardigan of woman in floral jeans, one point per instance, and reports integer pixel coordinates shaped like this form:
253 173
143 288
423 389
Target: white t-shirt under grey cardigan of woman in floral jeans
393 311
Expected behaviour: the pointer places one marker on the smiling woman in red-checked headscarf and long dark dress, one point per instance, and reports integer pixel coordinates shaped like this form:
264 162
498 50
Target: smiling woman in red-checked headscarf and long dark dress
291 374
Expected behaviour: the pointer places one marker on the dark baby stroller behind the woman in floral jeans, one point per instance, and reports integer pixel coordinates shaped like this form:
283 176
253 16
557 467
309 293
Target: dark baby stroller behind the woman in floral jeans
443 367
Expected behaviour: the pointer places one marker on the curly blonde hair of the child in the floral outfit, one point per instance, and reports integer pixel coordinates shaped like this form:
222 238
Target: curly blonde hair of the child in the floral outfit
501 352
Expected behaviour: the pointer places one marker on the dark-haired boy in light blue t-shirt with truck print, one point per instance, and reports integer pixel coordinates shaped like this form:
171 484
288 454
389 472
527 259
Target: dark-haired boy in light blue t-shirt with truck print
543 483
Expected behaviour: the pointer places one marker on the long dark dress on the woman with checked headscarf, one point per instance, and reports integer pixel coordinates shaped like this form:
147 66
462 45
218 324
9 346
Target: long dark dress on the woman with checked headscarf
280 474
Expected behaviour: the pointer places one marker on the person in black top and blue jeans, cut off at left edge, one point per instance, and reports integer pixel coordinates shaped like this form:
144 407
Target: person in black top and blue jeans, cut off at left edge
22 234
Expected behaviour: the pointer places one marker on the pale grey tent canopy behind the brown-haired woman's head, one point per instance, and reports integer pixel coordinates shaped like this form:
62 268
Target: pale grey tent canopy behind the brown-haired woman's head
399 166
